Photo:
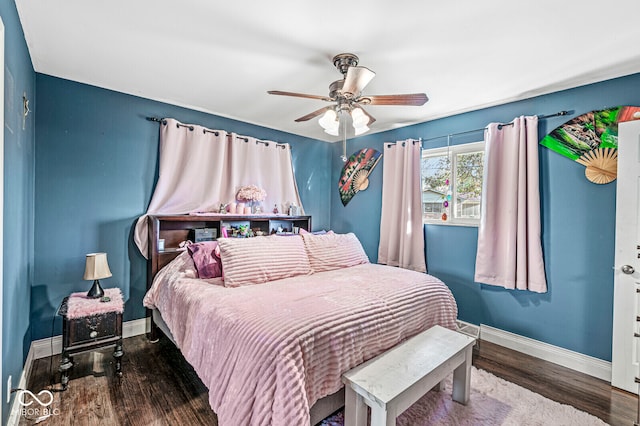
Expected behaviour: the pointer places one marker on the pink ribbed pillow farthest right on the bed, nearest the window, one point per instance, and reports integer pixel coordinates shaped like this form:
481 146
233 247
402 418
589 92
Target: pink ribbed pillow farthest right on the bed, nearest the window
333 251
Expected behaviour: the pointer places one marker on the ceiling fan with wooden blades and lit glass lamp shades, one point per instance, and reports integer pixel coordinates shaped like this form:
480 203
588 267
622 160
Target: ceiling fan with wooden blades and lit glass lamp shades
346 97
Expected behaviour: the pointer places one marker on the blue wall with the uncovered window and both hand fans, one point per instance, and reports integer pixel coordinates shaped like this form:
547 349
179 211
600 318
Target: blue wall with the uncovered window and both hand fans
578 220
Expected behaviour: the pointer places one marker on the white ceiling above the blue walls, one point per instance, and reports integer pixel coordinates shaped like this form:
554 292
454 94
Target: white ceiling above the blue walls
222 57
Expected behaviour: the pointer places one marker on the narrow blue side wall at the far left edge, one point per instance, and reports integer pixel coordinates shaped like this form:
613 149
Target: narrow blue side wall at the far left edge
18 201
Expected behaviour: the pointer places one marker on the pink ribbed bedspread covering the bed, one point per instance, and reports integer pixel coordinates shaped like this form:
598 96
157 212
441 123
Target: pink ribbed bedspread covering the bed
268 352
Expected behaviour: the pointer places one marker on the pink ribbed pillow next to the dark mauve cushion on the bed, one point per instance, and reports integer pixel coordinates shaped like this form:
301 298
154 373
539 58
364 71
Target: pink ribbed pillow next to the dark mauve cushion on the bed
257 260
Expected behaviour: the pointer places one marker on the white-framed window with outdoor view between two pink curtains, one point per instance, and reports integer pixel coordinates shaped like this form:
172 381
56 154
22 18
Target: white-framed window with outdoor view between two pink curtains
452 184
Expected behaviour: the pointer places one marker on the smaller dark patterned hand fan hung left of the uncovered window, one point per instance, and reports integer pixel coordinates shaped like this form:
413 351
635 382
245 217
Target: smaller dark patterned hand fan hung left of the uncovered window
355 173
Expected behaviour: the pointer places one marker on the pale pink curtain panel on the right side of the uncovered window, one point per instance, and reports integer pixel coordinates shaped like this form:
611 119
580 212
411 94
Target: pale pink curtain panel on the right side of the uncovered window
509 247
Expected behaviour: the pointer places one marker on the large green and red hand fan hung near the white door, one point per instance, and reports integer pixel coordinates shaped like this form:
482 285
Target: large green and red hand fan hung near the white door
591 139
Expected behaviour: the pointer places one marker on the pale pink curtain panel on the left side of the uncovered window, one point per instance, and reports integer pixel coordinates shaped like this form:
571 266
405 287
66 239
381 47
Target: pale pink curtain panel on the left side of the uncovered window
401 230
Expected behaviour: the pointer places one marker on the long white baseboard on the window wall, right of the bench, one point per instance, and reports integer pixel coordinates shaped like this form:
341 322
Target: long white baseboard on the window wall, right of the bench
574 360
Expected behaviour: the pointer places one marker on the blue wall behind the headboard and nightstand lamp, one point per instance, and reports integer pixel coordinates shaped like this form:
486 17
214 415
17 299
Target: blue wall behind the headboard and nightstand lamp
96 164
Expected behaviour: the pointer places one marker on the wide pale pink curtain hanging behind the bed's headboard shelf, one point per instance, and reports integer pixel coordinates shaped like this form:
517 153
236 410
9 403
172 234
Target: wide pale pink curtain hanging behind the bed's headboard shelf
202 168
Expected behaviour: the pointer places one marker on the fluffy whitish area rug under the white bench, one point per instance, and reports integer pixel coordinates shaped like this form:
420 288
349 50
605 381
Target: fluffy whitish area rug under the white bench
493 401
